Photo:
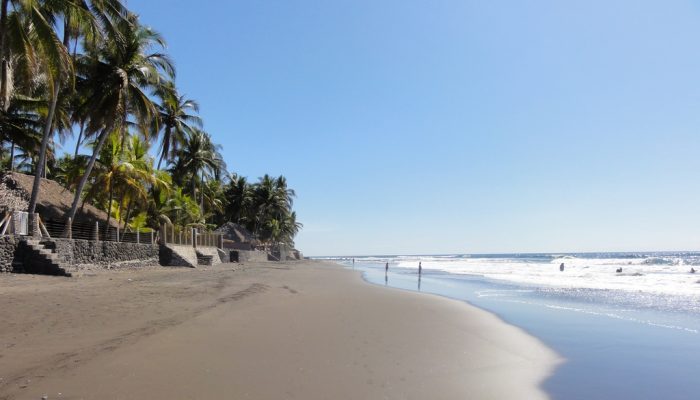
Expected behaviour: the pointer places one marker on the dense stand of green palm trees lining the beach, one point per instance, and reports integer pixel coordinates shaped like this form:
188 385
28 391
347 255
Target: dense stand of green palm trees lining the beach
88 69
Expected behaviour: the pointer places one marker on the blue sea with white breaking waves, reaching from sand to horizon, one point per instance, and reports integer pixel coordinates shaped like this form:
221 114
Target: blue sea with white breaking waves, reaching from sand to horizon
633 334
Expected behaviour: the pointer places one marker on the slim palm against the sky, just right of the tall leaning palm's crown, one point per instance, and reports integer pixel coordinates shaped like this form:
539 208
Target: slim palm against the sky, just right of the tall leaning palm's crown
177 124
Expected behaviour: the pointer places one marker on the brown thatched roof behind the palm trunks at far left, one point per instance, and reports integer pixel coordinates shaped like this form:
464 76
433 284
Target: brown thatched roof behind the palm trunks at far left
54 200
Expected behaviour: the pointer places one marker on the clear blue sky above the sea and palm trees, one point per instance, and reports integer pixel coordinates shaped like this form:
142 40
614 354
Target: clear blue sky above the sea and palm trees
455 126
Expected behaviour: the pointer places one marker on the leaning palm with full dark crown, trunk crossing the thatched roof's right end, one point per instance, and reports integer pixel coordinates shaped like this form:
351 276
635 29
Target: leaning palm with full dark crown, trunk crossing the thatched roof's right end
115 76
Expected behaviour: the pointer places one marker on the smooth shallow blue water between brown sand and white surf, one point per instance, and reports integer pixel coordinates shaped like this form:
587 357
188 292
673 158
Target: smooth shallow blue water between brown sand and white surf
615 345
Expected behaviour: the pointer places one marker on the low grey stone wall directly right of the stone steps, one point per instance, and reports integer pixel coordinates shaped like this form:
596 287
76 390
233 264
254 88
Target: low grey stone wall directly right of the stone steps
81 254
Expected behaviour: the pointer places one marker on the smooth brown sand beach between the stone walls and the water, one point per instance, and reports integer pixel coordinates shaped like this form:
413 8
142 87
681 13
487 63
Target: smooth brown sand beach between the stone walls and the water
298 330
